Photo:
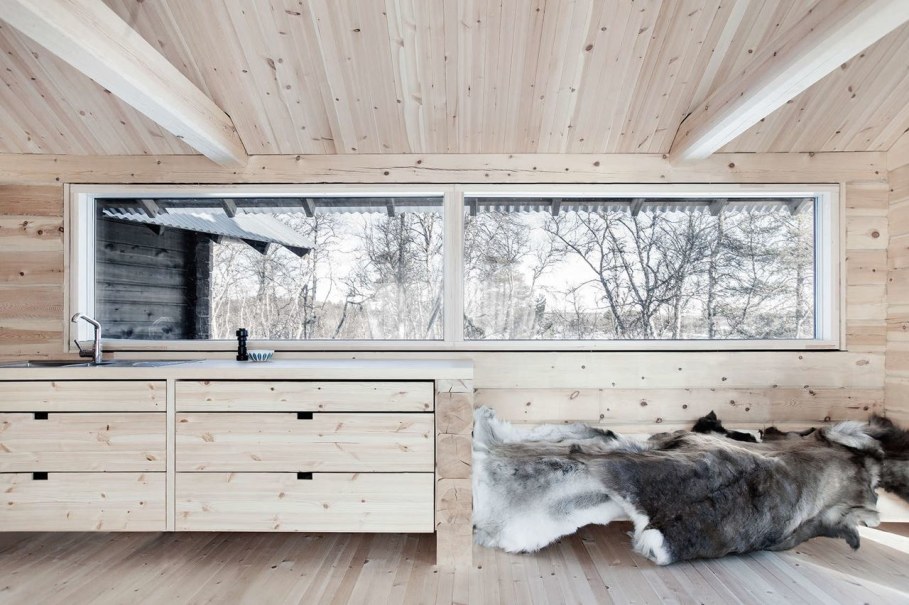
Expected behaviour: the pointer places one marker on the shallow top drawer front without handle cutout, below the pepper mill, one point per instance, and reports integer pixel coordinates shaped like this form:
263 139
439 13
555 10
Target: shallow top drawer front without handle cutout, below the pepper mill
288 396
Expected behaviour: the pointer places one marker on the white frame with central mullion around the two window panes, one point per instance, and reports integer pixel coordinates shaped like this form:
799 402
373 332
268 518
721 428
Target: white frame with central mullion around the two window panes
829 263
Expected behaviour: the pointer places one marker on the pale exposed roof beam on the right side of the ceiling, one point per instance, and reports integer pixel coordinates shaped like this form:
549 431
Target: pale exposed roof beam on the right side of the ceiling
790 64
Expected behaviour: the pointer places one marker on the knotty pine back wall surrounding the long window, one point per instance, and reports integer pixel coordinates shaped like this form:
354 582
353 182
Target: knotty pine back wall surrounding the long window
648 390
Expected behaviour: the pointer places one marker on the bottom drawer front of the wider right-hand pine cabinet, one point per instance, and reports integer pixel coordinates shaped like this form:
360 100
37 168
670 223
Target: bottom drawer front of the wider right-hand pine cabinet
333 502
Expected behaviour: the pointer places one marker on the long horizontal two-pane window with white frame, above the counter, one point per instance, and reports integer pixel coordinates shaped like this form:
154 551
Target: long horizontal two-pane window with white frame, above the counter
458 267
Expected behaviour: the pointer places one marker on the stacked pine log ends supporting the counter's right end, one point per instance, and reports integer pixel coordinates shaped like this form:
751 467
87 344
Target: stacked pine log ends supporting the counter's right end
454 495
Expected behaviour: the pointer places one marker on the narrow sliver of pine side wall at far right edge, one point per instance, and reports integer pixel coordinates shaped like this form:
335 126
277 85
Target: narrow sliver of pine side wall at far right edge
897 371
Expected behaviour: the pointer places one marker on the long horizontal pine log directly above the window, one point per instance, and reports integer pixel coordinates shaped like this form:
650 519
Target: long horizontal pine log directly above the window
449 168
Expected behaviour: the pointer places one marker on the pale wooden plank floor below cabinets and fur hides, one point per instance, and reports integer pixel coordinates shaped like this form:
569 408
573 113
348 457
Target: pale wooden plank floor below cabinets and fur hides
595 566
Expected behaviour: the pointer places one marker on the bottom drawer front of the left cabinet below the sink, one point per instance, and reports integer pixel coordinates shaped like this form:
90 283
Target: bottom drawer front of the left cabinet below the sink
83 502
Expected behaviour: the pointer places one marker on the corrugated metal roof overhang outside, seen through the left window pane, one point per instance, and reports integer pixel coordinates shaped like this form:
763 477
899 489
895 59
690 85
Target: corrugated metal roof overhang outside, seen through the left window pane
246 227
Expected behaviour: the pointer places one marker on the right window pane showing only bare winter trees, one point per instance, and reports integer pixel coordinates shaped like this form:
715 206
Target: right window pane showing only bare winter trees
579 269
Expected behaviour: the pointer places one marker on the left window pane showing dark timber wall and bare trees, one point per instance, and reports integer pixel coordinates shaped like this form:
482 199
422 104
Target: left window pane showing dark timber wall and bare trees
301 269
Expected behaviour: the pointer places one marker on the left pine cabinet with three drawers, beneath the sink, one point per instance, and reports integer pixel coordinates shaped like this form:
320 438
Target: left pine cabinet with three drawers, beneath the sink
82 455
